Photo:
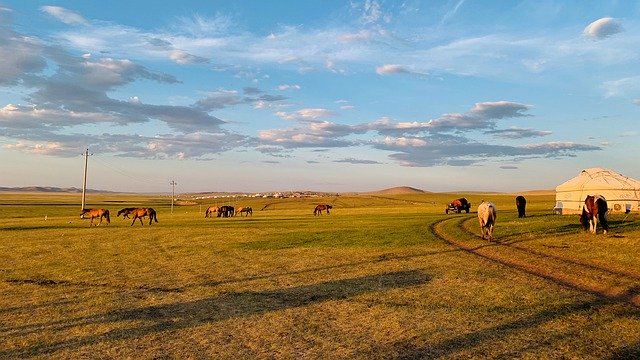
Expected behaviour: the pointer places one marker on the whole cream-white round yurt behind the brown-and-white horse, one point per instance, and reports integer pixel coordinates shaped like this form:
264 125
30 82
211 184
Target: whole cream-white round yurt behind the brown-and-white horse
621 192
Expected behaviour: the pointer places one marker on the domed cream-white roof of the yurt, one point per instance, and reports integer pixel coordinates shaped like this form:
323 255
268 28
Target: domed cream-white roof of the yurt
599 179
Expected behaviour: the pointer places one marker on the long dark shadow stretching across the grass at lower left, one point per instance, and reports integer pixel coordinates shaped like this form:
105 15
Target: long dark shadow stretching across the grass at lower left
180 315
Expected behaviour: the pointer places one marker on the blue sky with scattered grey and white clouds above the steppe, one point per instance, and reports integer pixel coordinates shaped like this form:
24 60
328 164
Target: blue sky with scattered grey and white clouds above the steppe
325 95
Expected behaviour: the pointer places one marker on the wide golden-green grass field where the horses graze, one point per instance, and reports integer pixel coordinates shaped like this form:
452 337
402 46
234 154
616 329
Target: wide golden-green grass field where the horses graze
382 277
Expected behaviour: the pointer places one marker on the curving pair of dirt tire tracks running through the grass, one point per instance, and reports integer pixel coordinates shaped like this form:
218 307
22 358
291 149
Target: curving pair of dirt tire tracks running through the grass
588 278
